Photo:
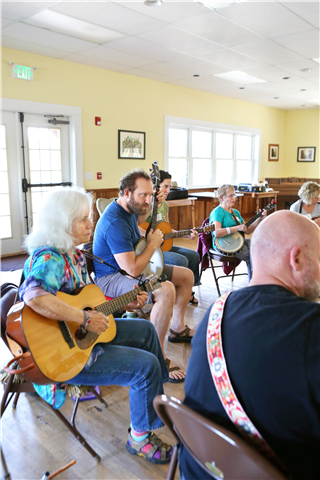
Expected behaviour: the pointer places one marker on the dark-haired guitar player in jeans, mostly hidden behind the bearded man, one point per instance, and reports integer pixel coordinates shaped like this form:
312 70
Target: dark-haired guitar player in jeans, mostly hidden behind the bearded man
182 257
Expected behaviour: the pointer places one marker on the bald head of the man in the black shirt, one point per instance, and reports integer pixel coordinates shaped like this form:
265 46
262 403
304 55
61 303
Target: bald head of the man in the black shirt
285 250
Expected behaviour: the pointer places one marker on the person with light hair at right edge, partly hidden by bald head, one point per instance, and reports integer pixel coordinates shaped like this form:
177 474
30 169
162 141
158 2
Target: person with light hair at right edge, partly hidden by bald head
309 204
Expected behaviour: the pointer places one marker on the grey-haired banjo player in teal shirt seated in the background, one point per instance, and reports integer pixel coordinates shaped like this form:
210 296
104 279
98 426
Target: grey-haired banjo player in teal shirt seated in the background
228 220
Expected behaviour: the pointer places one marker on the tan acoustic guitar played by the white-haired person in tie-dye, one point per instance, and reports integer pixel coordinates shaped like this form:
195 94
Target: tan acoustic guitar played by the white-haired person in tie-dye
59 350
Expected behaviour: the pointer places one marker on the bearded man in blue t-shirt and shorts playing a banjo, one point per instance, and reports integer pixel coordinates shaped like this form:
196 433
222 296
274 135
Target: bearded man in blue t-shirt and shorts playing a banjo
115 238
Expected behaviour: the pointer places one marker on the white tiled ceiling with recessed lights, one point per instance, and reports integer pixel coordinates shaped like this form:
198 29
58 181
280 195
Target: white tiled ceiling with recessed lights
269 39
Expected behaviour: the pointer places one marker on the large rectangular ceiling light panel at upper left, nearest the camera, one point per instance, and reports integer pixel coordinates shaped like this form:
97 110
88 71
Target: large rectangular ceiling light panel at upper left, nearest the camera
56 22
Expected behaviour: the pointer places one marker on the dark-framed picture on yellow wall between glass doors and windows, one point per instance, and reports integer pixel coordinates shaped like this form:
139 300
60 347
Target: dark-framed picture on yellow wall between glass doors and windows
131 145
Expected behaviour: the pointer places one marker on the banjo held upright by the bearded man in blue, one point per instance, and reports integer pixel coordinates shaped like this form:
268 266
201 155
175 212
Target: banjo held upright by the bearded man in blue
156 262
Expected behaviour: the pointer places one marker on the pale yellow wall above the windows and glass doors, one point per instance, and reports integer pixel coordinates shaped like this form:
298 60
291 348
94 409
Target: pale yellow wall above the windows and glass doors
133 103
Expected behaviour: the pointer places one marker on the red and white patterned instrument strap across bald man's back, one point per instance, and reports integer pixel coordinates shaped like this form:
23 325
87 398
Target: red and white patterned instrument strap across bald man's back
221 380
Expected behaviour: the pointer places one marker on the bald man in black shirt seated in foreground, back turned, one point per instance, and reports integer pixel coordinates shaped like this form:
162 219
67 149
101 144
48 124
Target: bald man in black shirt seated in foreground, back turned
271 342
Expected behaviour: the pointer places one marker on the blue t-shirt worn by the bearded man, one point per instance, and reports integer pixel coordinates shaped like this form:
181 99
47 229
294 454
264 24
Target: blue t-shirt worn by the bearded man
116 232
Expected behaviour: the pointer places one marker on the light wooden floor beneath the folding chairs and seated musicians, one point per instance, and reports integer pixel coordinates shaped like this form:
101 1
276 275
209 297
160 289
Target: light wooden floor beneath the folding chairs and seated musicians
34 440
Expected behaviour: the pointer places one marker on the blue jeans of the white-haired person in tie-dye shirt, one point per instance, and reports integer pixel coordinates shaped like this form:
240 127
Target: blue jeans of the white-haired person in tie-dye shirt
133 359
